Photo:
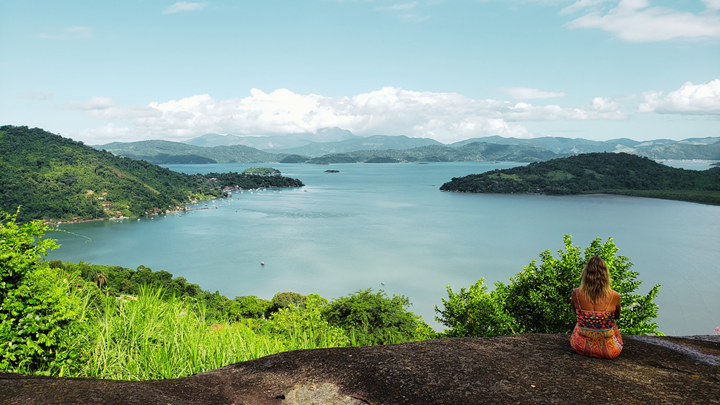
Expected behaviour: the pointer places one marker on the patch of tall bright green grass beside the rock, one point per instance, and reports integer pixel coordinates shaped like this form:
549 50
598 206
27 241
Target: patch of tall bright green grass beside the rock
155 338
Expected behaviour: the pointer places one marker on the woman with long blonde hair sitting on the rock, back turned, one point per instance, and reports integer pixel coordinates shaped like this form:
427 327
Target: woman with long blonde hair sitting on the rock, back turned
596 306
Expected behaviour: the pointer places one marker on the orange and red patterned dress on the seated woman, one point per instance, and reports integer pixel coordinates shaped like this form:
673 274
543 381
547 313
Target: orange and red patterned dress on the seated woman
596 334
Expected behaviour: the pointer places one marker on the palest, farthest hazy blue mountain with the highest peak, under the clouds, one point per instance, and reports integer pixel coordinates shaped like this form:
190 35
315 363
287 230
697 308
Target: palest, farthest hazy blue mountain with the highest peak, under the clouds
272 142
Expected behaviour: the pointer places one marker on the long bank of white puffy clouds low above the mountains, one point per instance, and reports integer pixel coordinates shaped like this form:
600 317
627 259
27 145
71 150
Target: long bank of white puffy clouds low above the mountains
391 111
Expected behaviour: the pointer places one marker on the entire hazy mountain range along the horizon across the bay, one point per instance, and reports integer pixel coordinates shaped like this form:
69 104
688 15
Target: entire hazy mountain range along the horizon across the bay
336 145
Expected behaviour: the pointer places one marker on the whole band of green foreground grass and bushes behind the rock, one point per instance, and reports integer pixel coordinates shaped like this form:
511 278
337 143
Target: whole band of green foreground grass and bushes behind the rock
78 319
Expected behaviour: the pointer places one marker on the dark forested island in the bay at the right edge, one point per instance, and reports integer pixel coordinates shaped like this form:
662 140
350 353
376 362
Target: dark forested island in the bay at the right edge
597 173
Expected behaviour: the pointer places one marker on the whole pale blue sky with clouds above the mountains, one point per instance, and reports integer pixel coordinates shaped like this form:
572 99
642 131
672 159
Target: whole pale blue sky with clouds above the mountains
107 71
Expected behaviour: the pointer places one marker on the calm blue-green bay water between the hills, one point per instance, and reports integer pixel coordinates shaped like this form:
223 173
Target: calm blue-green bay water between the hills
388 223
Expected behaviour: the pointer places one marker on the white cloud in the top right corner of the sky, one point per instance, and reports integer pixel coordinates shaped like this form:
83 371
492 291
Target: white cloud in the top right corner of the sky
636 21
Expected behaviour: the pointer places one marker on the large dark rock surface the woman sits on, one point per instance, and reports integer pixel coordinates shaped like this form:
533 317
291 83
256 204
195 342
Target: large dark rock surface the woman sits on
502 370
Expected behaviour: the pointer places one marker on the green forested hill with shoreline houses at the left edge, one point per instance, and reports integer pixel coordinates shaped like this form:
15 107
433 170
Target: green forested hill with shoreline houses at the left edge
53 177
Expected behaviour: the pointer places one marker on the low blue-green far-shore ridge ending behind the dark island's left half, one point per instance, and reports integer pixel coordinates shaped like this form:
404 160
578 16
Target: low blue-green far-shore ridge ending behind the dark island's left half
473 152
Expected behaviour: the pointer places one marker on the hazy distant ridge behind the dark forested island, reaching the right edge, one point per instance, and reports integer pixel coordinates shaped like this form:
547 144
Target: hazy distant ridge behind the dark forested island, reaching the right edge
579 145
